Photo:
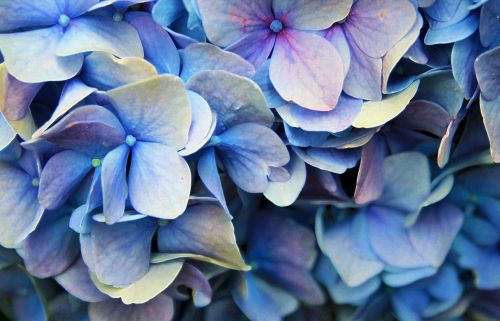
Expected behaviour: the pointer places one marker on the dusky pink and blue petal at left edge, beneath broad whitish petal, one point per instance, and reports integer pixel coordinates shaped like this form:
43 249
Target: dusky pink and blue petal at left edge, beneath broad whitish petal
18 96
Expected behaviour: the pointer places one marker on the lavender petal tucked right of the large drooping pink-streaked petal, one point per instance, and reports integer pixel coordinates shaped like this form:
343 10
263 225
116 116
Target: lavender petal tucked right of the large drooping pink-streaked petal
364 79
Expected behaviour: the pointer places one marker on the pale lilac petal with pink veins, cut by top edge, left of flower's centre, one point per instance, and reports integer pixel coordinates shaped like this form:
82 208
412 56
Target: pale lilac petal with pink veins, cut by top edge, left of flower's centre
226 21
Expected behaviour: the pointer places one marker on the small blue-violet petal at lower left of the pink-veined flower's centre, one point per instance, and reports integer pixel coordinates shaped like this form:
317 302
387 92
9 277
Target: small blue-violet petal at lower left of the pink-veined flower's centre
255 46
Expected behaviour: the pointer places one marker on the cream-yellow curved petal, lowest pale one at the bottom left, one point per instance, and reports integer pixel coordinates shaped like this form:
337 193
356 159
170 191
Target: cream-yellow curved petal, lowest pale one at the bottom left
159 277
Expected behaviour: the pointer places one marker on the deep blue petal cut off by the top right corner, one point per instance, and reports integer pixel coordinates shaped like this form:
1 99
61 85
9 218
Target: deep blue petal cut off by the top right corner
489 29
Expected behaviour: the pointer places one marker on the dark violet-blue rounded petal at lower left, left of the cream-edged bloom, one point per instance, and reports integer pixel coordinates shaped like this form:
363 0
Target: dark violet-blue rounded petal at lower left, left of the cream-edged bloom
51 249
